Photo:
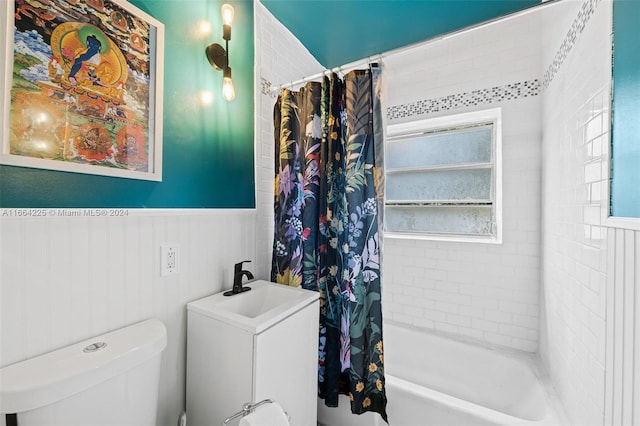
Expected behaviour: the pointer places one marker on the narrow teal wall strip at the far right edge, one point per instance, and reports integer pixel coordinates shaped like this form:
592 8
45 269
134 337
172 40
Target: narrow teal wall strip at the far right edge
625 158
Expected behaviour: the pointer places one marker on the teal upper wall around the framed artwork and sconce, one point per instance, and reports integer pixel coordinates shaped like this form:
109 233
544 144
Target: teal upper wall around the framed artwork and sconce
207 151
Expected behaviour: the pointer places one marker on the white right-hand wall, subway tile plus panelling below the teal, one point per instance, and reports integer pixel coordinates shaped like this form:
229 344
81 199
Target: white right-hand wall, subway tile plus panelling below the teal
589 331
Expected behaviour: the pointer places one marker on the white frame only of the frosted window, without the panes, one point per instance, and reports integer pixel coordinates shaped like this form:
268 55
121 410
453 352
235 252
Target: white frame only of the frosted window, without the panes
442 123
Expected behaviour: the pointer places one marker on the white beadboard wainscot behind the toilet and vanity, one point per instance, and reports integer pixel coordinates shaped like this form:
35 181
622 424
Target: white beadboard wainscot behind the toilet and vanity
66 278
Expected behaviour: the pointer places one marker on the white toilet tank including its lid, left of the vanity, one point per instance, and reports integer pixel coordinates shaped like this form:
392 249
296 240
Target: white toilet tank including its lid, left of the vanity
111 379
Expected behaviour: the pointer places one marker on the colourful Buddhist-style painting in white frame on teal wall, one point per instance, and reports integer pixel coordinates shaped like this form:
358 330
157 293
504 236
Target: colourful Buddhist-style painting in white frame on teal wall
82 87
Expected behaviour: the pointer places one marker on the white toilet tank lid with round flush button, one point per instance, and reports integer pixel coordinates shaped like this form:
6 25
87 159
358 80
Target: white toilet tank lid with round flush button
56 375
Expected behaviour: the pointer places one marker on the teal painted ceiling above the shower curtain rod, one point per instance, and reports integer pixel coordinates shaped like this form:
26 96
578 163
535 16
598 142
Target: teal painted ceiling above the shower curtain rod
371 27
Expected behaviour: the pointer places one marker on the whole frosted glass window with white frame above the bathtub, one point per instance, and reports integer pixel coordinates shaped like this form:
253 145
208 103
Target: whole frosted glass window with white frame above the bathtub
441 179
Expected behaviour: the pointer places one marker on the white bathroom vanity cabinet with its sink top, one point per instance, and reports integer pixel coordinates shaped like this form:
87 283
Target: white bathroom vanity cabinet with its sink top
256 345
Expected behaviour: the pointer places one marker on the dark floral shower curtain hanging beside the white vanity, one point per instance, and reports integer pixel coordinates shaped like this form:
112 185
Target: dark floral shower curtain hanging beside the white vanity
327 204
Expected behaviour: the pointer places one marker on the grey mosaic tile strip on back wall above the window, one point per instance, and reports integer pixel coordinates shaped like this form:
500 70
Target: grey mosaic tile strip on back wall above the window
507 92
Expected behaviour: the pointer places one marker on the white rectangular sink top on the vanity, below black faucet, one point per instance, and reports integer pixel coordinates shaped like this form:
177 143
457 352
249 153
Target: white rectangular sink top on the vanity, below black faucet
256 310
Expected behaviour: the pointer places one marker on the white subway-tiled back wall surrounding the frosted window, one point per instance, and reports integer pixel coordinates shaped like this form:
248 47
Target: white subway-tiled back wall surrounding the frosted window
487 292
